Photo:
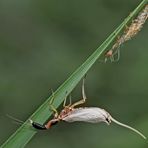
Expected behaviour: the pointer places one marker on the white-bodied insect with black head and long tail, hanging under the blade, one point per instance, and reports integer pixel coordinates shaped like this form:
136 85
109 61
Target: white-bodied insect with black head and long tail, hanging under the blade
72 113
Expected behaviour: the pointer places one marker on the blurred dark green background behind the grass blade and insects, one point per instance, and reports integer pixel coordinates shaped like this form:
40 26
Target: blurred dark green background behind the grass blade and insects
43 42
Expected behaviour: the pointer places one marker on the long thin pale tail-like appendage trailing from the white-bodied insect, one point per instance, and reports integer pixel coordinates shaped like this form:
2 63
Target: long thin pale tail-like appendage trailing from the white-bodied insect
127 126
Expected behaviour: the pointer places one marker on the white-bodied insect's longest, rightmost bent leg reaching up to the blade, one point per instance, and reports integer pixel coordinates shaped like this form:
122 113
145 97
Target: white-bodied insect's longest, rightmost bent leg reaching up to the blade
83 95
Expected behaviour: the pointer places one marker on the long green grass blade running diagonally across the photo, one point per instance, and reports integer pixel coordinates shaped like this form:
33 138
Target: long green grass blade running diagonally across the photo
24 134
